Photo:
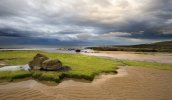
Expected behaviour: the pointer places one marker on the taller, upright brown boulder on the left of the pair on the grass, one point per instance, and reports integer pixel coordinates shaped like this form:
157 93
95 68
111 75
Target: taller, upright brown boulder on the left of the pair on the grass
36 63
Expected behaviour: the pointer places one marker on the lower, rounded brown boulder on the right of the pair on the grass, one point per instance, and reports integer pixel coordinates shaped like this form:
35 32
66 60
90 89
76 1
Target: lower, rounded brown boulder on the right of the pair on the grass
52 65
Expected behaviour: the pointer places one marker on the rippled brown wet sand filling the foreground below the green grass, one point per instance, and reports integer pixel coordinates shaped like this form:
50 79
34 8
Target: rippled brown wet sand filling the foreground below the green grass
131 83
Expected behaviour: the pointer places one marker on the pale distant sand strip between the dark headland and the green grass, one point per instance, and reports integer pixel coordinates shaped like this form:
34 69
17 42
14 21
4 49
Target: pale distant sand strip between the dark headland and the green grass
122 55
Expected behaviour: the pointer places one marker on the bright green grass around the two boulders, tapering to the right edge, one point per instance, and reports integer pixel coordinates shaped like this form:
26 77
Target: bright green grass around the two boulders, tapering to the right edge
82 66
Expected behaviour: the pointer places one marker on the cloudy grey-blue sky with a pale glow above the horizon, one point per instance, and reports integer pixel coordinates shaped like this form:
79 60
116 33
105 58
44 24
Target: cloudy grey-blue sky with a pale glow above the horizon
84 22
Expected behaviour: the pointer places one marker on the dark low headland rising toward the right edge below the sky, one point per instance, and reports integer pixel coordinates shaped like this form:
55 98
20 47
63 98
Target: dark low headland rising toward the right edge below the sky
165 46
